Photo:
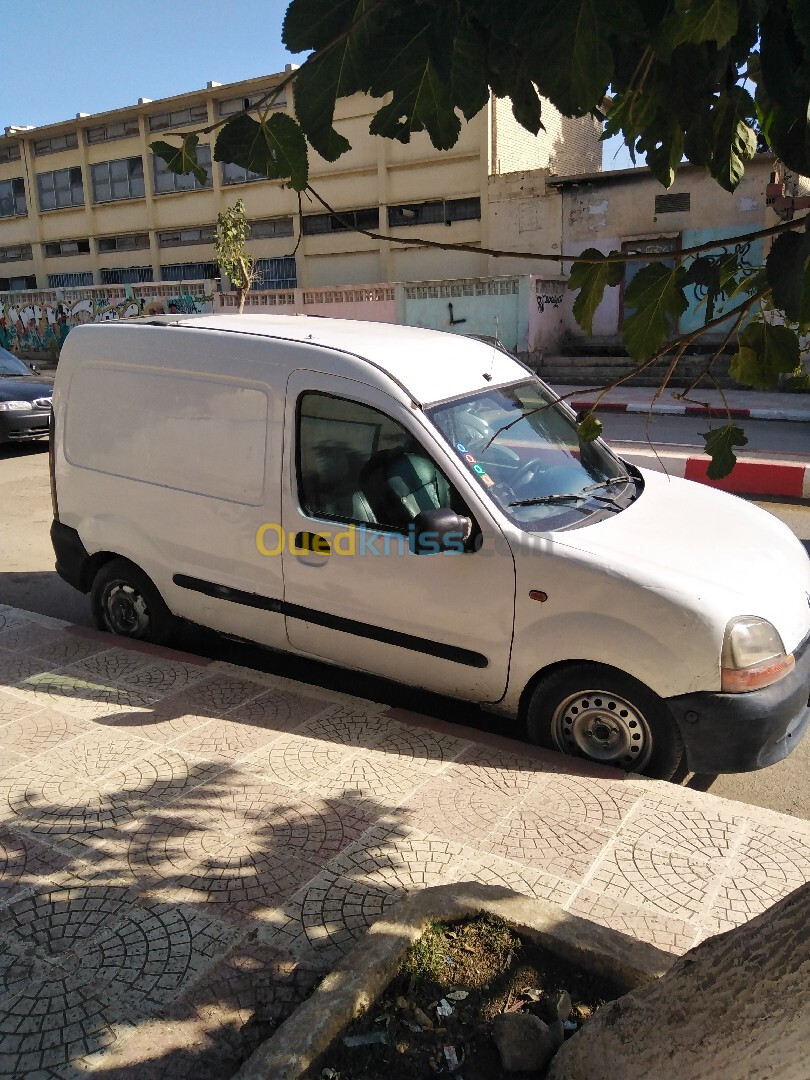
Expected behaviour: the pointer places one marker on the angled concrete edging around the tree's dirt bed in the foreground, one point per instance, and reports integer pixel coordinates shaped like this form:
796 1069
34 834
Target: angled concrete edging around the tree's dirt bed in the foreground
363 974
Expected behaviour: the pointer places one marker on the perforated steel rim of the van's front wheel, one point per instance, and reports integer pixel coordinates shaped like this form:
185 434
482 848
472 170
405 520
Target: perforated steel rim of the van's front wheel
604 727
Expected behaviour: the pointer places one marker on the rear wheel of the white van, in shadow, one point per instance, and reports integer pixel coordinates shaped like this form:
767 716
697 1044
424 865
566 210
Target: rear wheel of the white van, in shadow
125 602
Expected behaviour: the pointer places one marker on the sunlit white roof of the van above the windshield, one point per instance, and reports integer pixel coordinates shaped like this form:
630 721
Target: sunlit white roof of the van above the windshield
429 366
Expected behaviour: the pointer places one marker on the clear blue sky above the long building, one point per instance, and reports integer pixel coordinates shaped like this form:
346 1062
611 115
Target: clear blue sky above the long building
66 57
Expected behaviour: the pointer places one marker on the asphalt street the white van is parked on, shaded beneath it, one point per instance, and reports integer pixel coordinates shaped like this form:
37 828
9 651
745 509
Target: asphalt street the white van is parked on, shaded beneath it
28 580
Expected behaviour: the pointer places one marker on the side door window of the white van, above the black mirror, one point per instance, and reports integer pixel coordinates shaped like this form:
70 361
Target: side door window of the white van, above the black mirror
357 465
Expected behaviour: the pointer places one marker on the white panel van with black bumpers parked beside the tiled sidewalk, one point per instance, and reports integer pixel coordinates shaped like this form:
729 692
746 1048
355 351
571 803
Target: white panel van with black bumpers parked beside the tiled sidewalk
417 505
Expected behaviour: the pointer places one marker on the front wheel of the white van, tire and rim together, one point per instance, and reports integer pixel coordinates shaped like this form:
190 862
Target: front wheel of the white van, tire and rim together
598 713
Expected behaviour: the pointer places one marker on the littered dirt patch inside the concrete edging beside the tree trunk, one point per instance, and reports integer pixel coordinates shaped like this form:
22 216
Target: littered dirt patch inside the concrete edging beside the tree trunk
436 1017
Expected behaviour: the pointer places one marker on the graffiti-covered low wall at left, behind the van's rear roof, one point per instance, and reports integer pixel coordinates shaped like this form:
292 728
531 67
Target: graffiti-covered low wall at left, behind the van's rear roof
31 327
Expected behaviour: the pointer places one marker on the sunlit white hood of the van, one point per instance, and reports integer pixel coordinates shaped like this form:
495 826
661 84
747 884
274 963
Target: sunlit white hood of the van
727 555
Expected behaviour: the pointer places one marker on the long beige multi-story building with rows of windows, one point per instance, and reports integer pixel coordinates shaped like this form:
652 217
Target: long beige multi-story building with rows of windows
85 202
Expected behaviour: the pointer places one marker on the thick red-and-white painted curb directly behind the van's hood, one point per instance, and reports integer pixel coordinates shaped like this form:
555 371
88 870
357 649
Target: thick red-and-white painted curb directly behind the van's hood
762 476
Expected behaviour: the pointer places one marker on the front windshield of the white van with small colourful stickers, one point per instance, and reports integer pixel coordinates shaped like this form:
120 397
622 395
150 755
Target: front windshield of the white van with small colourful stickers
525 453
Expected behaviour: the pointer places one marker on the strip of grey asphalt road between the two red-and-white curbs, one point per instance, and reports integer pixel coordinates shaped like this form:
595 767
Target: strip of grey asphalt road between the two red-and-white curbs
763 436
